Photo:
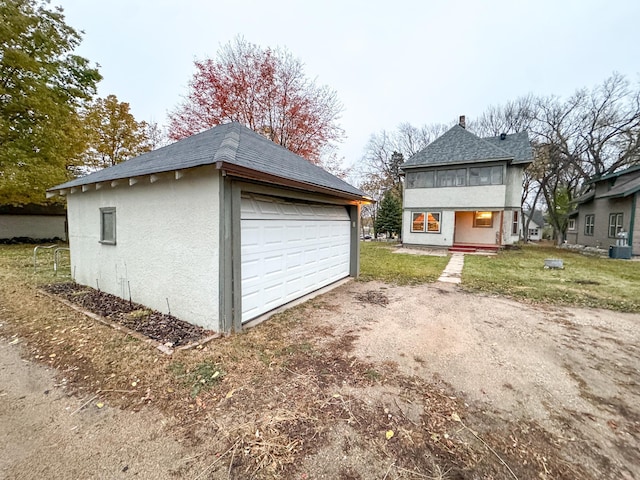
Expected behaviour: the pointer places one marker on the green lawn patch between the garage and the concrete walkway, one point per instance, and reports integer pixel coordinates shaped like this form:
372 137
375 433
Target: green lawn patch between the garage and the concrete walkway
378 262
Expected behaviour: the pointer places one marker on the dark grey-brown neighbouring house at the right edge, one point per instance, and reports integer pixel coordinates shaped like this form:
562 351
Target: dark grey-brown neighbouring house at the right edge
609 206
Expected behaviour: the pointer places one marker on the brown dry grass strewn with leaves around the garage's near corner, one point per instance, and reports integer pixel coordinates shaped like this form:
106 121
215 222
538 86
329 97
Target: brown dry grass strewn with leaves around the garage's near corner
257 404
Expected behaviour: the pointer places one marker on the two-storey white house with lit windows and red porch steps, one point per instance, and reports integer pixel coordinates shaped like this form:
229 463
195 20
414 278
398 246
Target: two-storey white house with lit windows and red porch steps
464 192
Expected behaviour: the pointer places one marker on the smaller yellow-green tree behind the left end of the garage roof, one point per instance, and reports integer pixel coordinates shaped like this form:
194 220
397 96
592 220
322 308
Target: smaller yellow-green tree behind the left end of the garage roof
113 134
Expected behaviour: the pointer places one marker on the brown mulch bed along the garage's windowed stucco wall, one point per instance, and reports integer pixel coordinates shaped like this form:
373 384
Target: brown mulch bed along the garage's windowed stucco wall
166 329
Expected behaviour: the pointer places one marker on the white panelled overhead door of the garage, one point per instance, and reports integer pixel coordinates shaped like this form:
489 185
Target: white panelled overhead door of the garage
288 250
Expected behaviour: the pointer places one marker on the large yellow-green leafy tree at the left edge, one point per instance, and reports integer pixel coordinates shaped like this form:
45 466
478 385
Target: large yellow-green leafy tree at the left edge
42 86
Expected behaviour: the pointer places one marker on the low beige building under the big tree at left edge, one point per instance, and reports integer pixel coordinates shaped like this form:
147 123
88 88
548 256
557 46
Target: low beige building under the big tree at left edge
33 223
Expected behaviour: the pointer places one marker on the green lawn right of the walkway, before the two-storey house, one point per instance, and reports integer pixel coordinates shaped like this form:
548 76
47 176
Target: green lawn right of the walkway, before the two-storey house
584 281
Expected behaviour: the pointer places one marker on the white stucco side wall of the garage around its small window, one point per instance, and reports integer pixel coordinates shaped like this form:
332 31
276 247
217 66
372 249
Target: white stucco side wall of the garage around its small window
167 243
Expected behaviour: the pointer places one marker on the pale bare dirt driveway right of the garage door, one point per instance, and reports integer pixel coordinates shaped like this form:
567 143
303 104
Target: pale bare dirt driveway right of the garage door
574 371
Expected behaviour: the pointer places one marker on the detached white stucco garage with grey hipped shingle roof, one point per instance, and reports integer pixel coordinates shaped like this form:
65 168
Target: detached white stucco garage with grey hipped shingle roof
219 228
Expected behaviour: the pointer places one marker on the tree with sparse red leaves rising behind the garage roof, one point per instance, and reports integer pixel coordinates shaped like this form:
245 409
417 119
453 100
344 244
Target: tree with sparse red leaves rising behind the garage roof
267 91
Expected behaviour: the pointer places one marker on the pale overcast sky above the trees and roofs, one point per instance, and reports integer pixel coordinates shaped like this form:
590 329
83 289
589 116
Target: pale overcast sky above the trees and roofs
389 61
